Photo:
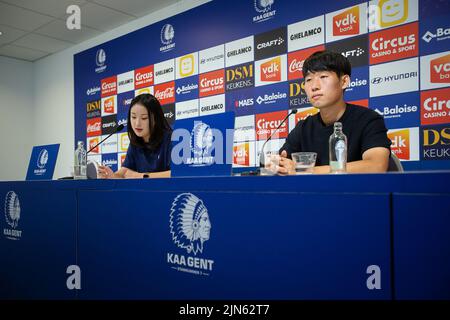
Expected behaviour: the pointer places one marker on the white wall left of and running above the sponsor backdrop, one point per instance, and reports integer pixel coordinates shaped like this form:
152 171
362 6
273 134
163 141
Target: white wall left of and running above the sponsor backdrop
51 88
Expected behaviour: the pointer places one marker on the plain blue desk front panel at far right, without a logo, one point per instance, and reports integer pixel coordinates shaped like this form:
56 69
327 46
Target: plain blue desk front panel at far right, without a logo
422 246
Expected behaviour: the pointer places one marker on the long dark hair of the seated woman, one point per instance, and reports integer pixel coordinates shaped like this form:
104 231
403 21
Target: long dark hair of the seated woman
157 122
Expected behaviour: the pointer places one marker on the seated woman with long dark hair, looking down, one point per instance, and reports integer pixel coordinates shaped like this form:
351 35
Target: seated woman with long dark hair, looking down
148 154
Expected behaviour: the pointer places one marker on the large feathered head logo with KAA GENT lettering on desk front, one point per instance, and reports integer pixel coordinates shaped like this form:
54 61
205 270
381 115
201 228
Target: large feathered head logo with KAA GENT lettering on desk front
190 228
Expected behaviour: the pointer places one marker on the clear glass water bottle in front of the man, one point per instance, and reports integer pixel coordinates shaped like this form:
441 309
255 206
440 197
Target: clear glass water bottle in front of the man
338 150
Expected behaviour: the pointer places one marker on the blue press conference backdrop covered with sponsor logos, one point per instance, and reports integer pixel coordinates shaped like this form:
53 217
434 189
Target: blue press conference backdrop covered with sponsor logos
247 56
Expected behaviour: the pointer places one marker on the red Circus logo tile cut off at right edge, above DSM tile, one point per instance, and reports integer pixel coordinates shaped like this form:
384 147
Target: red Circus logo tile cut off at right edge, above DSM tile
435 106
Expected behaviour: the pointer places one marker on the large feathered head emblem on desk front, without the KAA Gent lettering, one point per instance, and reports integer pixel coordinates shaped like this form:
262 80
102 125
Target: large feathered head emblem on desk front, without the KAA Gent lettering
189 223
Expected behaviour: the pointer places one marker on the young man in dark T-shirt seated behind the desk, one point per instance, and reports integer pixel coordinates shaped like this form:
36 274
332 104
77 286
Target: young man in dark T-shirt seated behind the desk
327 75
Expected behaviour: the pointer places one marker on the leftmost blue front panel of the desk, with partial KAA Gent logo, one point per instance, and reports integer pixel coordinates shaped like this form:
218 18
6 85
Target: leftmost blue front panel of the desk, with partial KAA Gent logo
39 244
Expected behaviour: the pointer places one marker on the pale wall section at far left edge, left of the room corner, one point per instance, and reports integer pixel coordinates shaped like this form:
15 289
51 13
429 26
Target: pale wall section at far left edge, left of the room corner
16 117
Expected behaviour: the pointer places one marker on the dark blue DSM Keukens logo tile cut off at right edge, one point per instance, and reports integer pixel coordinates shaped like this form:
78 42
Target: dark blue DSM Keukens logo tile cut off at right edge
436 142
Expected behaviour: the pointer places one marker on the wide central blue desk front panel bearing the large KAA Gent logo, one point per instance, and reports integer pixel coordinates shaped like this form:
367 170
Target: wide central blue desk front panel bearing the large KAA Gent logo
261 246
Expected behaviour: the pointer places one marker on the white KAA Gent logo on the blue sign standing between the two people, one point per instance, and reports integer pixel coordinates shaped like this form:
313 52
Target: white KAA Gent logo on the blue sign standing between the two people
201 145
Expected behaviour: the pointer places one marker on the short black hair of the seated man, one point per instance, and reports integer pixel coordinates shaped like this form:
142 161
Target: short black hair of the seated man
327 61
